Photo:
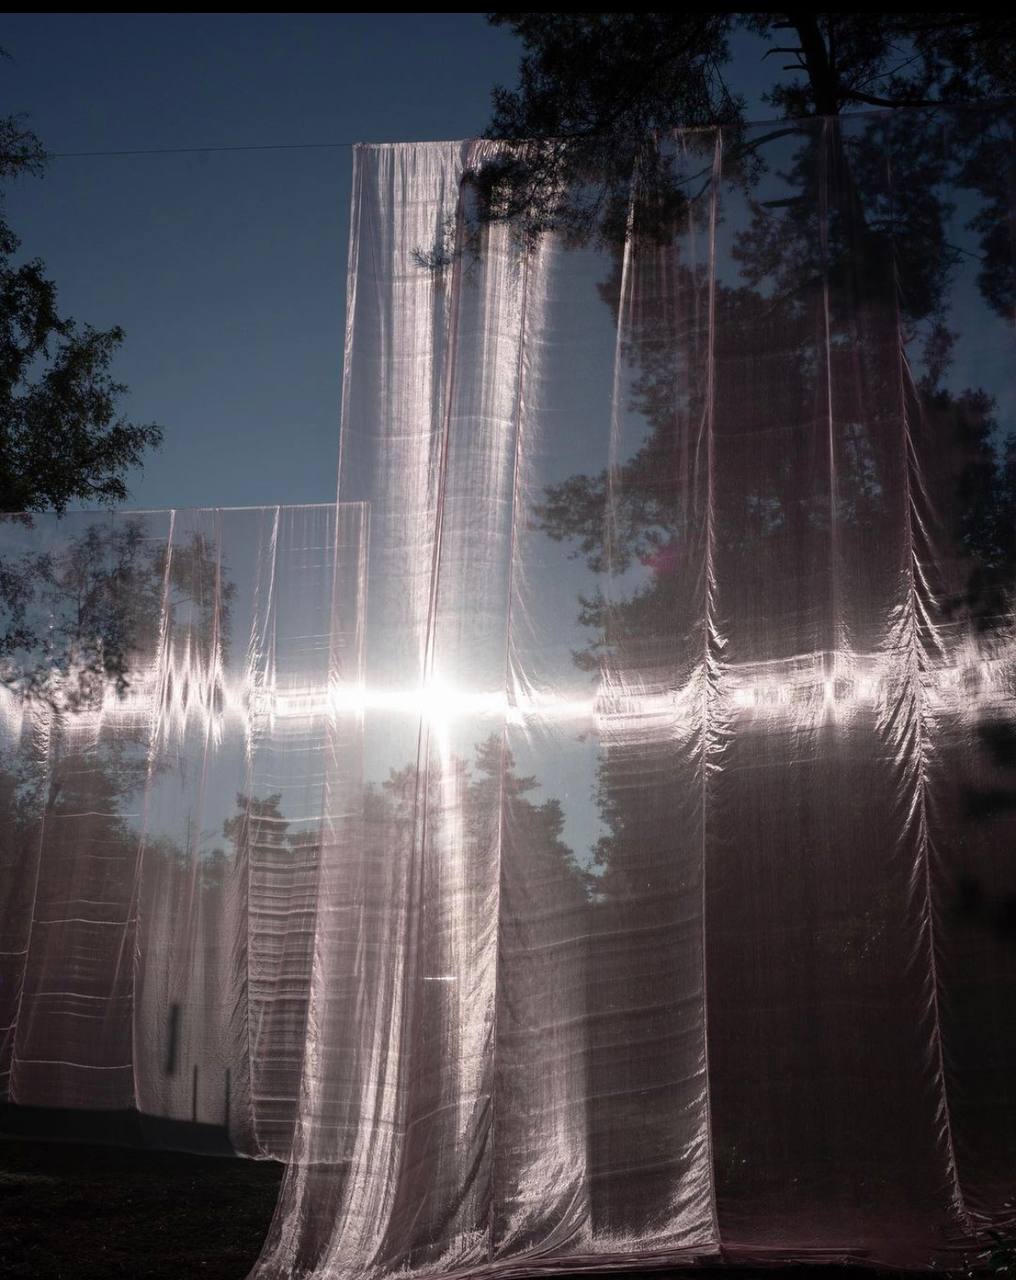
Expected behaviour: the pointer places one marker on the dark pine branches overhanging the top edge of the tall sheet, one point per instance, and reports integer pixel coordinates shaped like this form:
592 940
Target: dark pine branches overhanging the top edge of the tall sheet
598 93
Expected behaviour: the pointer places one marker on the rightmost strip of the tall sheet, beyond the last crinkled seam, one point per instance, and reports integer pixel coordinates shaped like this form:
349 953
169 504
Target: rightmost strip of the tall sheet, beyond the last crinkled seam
955 404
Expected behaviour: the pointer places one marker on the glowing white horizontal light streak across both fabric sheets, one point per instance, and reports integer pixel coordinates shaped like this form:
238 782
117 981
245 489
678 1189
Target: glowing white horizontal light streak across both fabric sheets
190 694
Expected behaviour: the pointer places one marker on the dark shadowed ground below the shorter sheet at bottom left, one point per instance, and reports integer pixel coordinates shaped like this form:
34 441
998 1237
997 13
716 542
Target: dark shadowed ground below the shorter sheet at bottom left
76 1213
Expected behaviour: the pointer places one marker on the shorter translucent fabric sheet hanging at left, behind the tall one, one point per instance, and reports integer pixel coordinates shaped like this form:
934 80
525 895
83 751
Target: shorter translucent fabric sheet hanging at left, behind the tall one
173 757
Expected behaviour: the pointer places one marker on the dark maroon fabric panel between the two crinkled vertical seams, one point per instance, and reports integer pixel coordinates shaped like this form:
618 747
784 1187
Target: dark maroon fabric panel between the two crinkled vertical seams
817 953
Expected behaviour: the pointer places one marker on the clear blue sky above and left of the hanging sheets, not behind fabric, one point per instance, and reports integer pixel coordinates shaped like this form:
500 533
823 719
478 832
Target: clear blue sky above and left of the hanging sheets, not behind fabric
228 271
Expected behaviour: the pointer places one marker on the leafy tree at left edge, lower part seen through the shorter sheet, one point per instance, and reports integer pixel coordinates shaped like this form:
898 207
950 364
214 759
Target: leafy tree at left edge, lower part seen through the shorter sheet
63 440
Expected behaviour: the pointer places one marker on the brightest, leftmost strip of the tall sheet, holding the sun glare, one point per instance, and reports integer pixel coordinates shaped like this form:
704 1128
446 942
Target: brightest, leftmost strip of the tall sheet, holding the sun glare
434 335
